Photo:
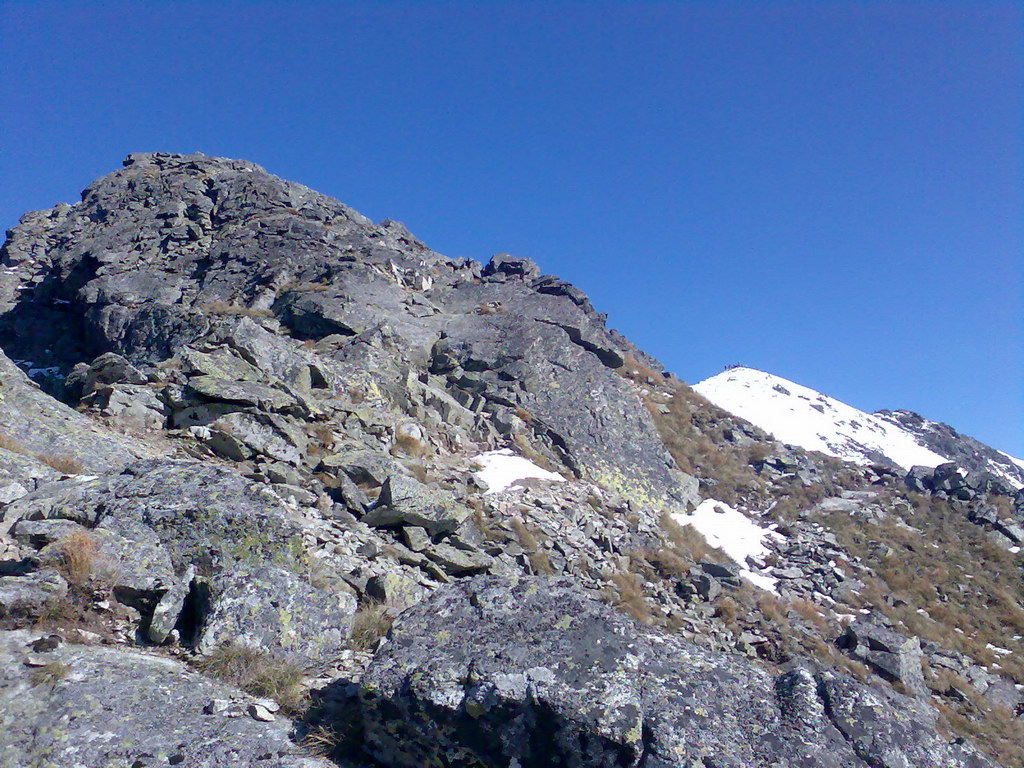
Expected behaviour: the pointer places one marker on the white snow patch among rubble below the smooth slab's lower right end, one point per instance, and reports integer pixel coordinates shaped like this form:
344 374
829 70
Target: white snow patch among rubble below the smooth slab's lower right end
736 534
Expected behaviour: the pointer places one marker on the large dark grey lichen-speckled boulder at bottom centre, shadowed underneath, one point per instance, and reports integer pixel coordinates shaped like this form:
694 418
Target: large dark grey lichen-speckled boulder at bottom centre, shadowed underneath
533 673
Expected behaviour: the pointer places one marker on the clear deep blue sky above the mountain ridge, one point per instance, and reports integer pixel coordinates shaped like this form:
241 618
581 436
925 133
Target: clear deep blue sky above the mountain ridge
828 191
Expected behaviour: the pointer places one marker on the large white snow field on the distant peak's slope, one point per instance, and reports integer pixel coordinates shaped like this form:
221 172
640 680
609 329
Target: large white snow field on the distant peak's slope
800 416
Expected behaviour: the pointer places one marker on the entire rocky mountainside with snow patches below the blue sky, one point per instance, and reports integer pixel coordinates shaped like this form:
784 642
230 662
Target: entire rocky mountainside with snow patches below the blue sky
282 487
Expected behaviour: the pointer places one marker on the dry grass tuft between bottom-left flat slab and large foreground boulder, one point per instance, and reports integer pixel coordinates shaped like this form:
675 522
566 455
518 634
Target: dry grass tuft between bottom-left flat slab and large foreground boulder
258 672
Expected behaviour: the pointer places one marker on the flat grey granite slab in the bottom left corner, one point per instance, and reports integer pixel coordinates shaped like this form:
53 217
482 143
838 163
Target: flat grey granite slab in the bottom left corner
100 707
